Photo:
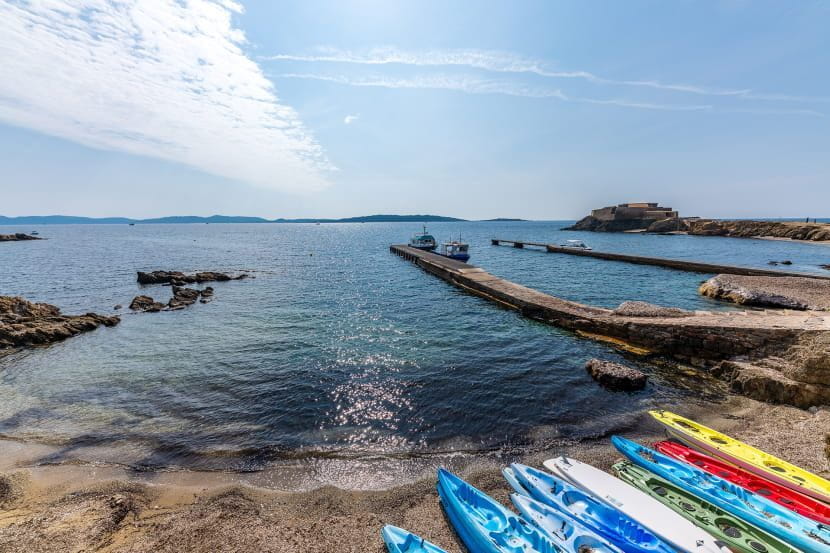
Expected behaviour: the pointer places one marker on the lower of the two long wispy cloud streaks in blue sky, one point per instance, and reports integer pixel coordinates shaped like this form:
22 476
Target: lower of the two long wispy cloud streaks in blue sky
472 85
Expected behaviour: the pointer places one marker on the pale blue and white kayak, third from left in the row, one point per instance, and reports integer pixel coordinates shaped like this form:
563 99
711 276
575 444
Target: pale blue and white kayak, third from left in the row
572 536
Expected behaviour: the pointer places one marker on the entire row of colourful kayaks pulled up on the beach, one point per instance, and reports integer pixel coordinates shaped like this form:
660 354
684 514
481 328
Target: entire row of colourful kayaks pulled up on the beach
657 503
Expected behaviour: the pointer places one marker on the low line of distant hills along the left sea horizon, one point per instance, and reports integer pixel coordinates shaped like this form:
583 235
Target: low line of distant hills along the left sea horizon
191 219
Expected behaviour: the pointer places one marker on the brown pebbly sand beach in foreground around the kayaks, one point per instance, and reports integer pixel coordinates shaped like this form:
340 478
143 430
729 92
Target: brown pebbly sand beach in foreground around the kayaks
74 508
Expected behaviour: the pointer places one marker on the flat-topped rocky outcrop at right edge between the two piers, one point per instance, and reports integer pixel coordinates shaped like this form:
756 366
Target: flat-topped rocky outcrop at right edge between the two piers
784 292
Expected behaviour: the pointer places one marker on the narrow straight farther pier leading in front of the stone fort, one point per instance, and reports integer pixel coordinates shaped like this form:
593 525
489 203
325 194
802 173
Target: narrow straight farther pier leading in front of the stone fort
678 264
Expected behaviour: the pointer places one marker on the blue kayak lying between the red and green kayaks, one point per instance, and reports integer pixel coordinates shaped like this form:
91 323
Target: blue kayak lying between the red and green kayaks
802 533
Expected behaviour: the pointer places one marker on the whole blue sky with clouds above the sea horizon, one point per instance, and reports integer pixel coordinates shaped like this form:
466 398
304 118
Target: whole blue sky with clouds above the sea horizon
475 109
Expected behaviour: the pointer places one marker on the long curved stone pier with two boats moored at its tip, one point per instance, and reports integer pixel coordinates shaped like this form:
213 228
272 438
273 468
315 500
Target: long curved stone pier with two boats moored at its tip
700 336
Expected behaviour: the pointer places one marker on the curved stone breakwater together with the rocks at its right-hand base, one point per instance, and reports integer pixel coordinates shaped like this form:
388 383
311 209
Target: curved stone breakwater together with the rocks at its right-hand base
705 339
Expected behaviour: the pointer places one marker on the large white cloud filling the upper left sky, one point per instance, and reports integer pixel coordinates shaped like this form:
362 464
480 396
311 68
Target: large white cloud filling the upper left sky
161 78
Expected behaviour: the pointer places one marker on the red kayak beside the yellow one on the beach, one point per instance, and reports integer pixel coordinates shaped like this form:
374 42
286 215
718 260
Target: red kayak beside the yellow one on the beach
792 500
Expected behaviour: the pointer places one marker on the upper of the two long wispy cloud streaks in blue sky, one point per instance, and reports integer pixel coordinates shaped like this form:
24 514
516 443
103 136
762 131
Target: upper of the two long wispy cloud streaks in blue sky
488 60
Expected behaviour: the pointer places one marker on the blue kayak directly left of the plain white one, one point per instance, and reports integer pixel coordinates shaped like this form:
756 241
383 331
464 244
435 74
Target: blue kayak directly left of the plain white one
612 525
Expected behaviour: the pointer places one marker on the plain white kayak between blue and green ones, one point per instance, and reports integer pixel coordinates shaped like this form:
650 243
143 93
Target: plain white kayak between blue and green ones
668 525
